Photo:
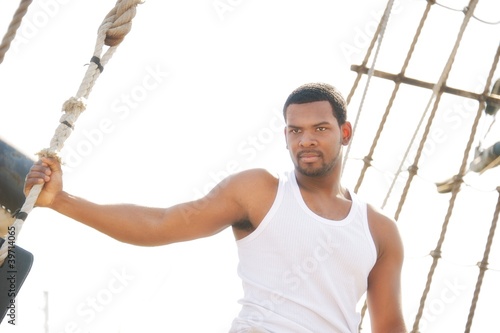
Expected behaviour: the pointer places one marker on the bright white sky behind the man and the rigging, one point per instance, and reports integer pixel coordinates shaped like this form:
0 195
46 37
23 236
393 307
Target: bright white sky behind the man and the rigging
195 93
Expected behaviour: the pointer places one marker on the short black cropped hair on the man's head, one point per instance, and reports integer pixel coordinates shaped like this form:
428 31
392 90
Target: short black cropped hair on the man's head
316 92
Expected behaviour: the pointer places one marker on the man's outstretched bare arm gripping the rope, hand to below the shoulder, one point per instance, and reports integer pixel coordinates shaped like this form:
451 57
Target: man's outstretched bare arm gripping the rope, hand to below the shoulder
140 225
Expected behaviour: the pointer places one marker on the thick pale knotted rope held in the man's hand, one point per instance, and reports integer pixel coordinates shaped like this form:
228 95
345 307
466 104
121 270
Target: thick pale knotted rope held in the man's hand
112 31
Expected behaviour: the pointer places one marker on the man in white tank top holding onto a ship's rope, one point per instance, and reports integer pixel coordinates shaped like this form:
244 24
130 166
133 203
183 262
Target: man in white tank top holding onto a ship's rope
308 248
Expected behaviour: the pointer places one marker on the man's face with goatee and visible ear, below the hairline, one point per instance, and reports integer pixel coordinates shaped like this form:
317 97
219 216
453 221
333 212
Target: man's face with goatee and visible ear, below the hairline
314 137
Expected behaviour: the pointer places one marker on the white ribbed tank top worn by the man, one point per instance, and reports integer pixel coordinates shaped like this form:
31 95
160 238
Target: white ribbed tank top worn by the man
301 272
